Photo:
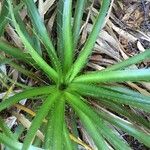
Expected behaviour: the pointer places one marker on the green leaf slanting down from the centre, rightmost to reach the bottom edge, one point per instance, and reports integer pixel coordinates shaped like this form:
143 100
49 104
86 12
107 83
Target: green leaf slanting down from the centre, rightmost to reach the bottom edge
101 126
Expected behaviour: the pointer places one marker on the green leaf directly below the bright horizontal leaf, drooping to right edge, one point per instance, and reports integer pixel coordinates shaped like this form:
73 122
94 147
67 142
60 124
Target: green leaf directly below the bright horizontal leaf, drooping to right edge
98 92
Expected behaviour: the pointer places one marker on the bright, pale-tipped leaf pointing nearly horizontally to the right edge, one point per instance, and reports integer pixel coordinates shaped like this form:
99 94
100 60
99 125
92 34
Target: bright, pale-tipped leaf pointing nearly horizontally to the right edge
115 76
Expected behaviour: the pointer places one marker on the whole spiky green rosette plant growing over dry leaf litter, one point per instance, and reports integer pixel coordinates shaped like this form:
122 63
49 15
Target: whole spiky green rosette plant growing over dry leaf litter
96 101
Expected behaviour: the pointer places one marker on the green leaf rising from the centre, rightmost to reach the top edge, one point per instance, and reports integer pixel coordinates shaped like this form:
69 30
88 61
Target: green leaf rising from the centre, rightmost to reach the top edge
87 49
